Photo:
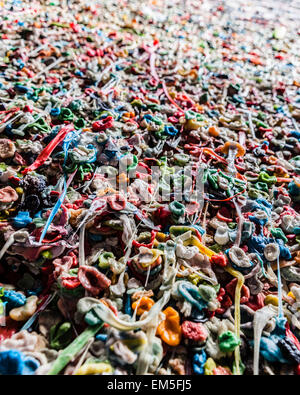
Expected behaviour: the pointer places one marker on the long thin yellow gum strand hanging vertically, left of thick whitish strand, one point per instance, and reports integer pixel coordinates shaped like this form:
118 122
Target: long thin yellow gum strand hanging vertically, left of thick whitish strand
237 312
